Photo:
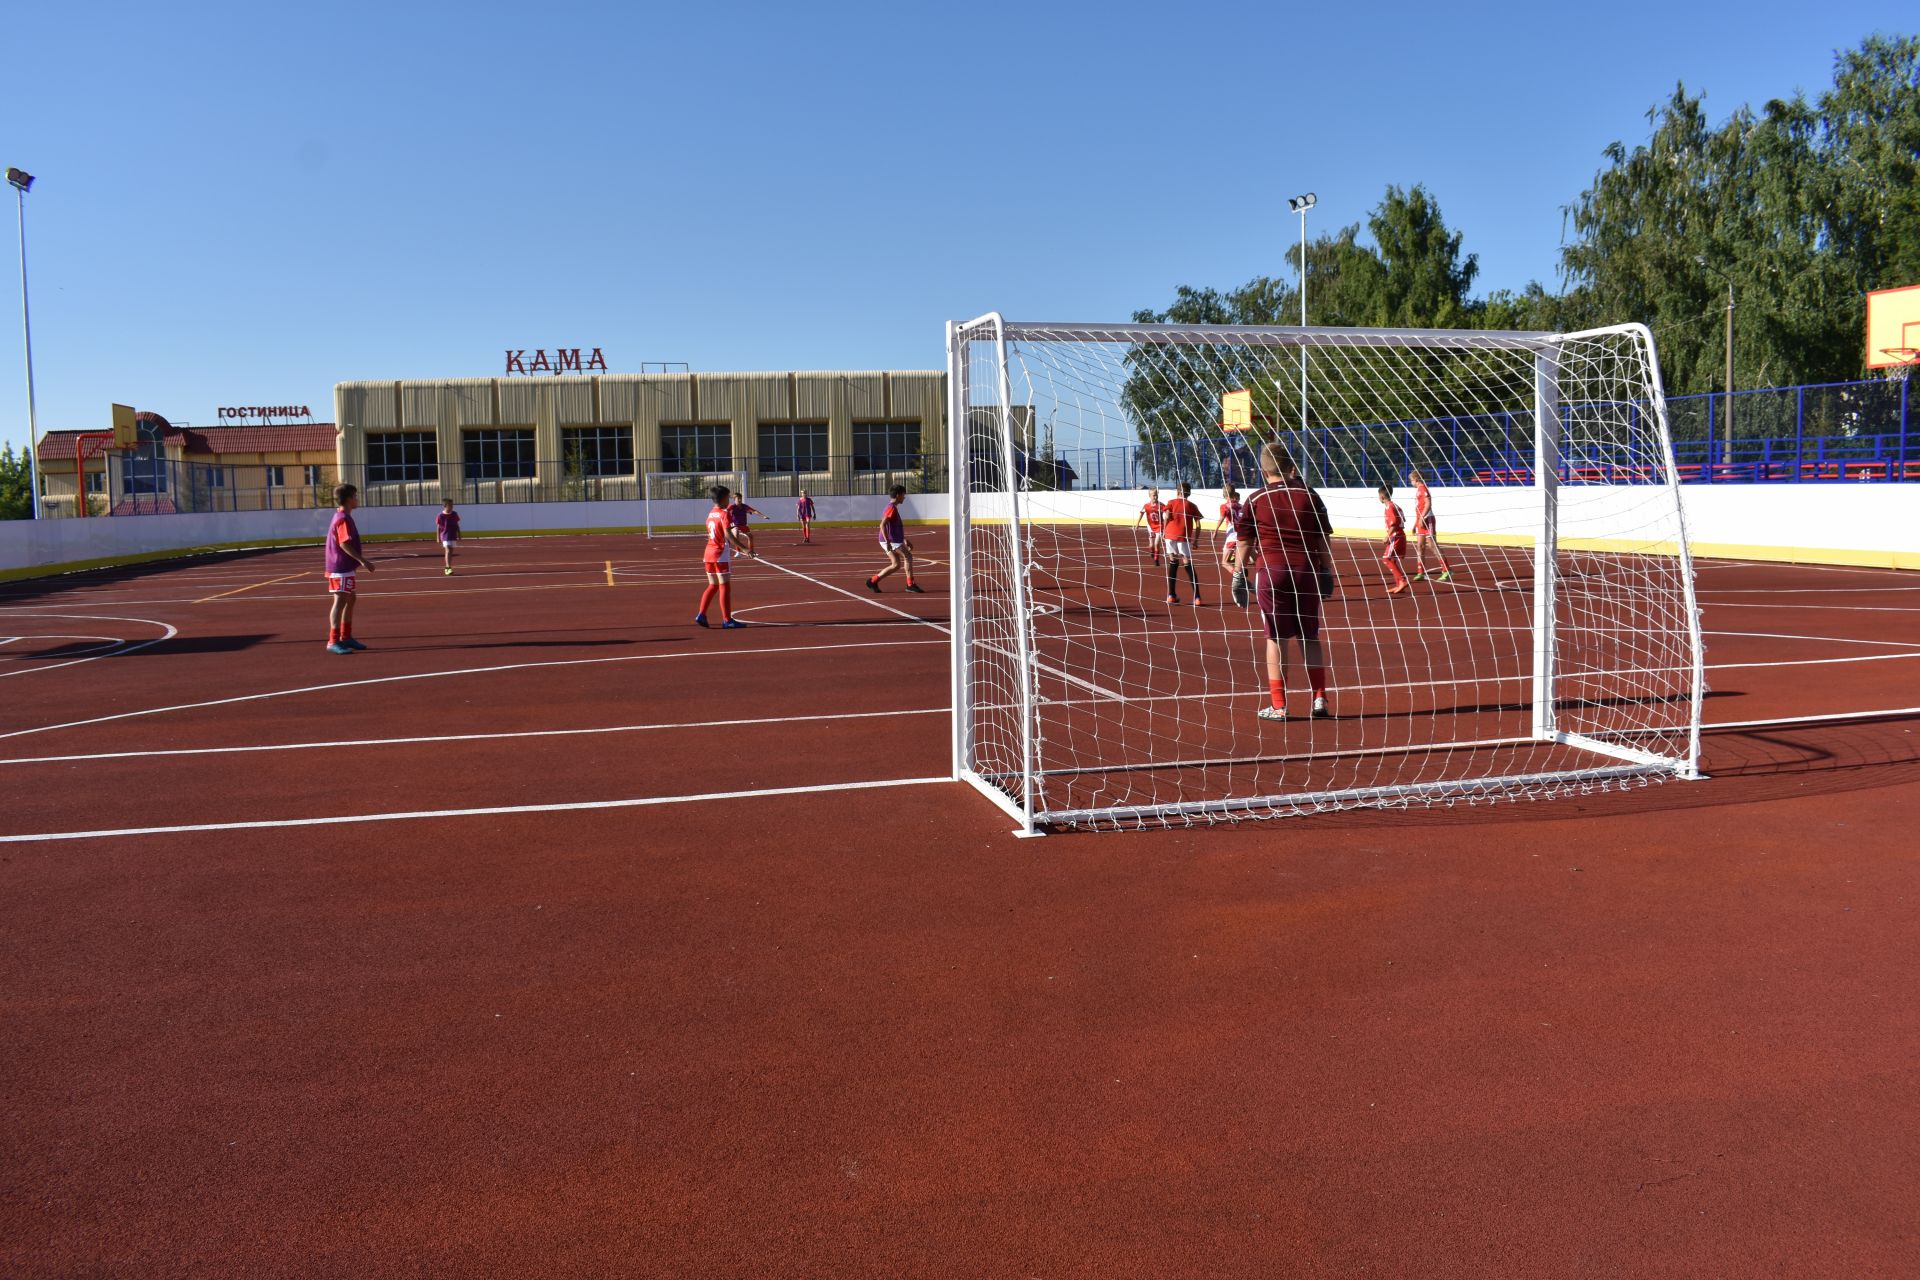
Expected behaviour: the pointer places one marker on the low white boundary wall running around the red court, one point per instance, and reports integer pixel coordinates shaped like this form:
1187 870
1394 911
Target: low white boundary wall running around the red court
1836 523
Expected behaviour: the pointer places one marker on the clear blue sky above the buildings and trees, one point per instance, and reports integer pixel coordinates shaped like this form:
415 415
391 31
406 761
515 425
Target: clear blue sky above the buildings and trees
247 204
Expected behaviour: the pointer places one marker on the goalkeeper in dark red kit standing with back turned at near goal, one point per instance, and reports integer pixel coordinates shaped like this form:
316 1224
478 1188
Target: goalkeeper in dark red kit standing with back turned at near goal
1284 536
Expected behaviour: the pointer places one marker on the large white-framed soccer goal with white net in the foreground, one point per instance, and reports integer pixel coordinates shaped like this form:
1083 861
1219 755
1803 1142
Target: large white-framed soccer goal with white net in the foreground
1558 652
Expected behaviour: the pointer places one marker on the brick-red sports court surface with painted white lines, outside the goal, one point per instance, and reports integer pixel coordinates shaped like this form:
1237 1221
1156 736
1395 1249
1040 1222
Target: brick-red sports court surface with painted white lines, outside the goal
610 1028
